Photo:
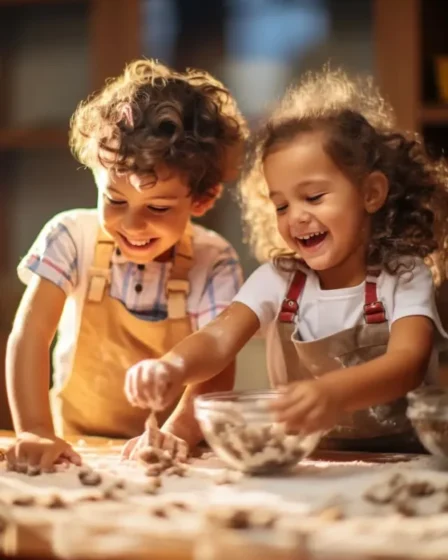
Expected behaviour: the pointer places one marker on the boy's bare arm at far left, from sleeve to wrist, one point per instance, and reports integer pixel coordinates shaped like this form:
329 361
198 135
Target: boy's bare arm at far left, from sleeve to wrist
28 356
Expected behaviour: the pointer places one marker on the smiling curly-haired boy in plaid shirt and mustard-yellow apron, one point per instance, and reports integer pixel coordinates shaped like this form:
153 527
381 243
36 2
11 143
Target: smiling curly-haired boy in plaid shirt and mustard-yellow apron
129 279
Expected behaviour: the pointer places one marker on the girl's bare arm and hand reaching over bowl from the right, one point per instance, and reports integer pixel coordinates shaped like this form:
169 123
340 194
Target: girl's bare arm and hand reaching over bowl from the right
315 405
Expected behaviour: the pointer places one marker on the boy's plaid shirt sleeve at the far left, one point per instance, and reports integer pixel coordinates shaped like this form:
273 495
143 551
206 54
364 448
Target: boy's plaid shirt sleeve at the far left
53 256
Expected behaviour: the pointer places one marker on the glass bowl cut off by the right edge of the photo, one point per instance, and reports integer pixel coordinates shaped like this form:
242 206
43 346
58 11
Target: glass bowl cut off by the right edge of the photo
428 413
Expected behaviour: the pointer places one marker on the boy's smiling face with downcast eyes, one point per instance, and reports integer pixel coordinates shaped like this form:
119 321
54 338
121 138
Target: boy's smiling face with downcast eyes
145 218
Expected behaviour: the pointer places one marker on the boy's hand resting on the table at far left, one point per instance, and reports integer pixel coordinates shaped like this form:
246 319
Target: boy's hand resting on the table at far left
33 453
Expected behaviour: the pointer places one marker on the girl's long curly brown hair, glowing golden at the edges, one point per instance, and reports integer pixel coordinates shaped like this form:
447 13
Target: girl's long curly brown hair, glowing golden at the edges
360 137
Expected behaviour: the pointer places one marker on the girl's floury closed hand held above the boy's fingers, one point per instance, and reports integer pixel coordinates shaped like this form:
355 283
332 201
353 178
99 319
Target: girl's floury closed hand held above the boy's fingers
153 384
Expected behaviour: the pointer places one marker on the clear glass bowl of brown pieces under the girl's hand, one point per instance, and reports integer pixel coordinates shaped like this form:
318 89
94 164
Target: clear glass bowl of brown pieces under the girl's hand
242 431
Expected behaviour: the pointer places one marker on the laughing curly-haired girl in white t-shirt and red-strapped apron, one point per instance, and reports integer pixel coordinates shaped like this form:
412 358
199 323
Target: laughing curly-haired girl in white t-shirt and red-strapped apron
345 208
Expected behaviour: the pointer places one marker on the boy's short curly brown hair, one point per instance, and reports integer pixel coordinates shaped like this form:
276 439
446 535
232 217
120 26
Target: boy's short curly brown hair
152 116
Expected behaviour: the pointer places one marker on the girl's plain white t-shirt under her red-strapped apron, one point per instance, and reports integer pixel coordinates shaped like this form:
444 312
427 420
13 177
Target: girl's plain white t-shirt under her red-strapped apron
326 312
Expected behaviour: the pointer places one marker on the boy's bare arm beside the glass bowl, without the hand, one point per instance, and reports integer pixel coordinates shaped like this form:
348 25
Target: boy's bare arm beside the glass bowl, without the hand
182 422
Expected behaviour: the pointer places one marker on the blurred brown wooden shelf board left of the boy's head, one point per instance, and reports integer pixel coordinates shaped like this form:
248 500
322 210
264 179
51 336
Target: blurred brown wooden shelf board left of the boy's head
23 138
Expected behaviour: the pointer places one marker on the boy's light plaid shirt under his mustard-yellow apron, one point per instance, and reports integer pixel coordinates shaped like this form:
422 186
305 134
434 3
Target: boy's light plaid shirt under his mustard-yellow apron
63 253
